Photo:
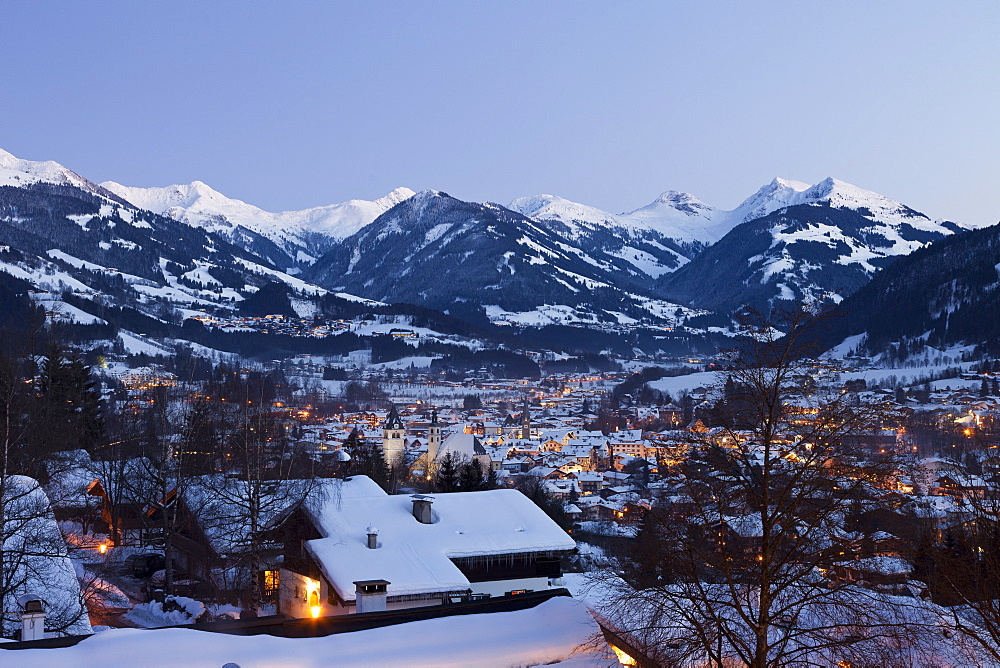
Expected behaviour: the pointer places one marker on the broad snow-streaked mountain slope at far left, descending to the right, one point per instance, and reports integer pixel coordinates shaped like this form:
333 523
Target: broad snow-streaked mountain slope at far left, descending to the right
73 239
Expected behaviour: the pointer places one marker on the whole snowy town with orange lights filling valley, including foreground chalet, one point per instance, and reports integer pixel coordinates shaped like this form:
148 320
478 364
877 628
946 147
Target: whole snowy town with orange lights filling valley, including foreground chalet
312 488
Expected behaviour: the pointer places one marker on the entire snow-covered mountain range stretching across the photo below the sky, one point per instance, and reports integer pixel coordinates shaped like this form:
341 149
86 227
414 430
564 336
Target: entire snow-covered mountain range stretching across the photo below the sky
545 259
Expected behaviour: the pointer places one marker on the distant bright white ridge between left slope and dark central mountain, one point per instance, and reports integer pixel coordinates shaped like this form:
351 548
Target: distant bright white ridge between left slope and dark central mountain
302 235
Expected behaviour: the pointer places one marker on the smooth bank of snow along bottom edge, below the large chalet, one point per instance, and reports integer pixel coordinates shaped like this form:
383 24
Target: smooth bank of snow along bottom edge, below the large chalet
557 632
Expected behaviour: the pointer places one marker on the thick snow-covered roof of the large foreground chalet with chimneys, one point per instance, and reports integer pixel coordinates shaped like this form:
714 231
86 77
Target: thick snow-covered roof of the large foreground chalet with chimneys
416 558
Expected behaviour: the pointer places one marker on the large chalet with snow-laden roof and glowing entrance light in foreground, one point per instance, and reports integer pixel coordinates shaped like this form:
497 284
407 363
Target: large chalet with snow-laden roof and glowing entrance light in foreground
389 552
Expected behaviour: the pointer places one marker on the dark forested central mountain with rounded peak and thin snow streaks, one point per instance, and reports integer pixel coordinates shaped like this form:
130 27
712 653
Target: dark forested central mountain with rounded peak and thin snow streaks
457 256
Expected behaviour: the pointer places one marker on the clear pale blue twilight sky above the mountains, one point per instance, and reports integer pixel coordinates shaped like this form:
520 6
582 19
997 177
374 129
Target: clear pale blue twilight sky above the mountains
290 104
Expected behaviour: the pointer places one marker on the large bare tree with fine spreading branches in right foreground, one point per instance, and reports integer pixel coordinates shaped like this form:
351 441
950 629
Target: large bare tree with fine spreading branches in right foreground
739 567
